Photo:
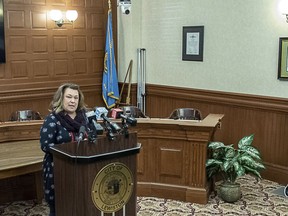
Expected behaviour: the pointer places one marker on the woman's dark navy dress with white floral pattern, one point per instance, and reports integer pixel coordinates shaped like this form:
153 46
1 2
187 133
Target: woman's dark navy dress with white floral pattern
51 133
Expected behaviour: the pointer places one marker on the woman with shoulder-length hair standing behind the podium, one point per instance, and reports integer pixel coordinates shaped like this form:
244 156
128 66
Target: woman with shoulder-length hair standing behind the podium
67 115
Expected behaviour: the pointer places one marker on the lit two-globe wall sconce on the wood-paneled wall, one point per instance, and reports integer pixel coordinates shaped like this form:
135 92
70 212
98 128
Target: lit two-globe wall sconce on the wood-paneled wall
61 18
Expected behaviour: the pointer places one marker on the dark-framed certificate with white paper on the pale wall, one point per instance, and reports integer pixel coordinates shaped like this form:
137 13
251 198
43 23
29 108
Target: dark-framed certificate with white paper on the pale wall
192 43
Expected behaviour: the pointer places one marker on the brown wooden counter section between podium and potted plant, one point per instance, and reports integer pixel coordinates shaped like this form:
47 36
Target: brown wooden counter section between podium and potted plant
171 163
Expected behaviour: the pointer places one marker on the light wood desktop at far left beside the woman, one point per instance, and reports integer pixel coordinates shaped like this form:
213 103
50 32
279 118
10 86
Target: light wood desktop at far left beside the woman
20 158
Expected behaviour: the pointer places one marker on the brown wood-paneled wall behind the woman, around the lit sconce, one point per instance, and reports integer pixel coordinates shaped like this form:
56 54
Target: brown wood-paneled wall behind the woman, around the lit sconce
40 55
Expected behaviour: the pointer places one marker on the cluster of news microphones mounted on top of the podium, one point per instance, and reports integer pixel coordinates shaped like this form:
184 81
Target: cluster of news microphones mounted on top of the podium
94 128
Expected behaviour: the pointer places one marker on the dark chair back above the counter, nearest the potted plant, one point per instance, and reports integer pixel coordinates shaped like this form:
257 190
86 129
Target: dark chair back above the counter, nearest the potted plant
186 114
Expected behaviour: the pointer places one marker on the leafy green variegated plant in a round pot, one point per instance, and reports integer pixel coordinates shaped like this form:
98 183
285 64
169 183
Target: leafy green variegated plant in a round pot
231 163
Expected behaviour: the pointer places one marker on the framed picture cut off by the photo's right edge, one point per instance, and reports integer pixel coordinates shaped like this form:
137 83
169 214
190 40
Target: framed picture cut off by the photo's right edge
283 59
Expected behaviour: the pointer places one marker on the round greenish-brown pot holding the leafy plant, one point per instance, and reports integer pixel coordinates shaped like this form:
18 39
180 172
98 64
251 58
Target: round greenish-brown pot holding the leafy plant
230 192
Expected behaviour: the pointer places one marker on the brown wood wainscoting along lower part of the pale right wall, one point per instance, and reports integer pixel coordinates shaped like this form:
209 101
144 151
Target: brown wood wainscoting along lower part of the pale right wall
266 117
